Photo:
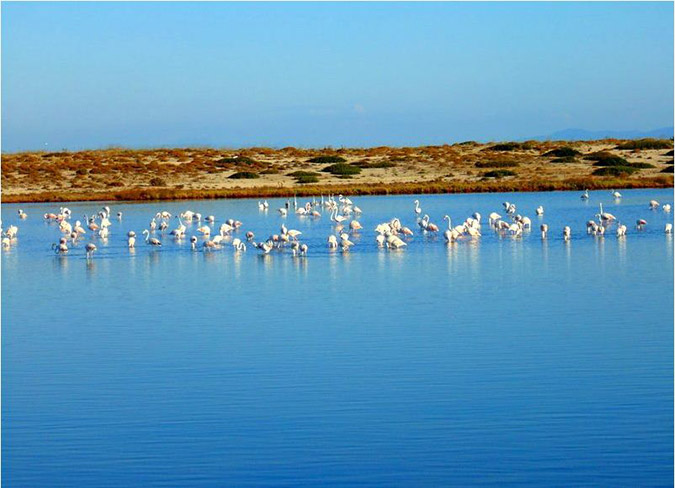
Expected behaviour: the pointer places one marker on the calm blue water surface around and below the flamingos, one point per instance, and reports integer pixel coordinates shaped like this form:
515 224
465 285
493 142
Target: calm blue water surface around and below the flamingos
492 362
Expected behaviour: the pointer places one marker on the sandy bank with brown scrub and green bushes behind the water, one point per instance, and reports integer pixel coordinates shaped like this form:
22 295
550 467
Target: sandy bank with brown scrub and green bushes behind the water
126 174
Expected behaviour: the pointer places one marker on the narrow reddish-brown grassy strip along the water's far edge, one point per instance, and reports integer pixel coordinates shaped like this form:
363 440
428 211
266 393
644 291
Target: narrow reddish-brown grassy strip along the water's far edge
171 194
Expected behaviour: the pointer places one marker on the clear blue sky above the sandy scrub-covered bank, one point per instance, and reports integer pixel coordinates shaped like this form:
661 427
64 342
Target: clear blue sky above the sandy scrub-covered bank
91 75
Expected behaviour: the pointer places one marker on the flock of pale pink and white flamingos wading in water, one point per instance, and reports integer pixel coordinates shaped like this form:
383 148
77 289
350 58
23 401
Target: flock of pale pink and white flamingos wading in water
343 213
